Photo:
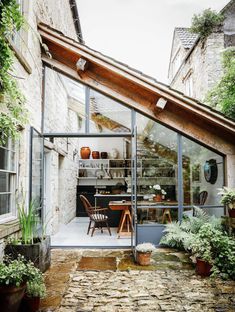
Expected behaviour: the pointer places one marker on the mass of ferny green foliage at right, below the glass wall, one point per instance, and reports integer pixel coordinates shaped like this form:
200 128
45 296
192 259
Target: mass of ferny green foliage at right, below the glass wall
204 237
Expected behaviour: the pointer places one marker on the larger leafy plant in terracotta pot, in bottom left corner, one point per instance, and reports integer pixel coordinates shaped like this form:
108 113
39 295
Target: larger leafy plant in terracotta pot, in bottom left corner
14 274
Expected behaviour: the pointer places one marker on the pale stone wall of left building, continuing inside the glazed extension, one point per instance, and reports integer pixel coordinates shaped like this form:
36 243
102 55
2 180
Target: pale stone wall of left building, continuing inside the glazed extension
62 181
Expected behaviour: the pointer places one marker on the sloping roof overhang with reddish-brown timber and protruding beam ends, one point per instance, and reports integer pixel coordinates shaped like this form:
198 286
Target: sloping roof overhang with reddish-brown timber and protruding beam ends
138 91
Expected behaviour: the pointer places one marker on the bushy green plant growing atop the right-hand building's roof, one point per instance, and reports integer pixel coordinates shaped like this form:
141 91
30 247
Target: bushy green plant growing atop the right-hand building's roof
204 24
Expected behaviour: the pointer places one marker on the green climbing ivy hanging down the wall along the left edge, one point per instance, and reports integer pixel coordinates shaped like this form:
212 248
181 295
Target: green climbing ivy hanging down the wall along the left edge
12 110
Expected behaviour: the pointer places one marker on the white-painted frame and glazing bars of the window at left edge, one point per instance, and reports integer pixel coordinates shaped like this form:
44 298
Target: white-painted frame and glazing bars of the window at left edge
13 180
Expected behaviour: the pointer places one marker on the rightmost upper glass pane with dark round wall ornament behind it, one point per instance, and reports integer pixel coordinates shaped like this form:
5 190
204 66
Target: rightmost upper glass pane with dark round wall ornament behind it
203 174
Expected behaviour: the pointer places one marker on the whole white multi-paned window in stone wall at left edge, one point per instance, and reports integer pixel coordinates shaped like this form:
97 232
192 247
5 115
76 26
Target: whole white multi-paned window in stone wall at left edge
7 179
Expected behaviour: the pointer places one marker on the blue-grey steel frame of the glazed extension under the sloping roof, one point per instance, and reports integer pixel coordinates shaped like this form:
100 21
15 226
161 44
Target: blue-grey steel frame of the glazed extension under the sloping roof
131 135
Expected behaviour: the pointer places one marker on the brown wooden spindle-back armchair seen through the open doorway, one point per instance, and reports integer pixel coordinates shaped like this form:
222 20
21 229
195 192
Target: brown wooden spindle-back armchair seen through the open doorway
97 215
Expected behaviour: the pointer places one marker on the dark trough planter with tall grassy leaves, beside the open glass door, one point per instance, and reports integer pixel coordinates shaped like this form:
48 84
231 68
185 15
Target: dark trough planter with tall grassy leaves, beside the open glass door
33 246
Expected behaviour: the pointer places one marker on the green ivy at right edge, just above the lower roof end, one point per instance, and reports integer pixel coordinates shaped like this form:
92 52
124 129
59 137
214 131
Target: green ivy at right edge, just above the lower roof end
222 96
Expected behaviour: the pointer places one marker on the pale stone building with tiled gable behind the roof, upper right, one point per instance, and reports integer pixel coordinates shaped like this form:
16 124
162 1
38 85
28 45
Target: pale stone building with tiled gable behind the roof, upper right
195 65
